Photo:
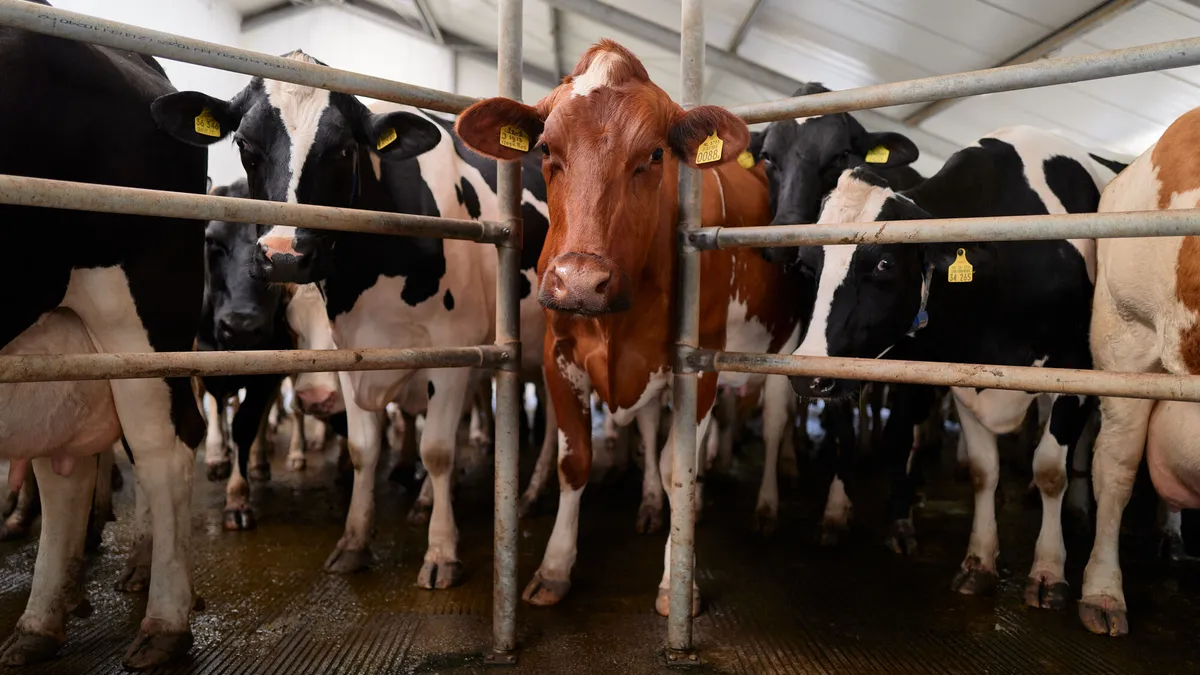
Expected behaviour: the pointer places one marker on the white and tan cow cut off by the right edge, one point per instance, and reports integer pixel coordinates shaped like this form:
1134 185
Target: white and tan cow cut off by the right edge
1144 320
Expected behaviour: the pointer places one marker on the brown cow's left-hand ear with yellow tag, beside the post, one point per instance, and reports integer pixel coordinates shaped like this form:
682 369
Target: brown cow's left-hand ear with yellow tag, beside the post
501 129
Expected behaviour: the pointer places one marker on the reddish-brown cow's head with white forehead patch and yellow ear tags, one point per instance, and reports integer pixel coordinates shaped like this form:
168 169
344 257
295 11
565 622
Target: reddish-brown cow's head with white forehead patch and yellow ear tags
611 144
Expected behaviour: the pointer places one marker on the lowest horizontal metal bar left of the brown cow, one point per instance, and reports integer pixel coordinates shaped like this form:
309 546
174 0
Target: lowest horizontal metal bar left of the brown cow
50 368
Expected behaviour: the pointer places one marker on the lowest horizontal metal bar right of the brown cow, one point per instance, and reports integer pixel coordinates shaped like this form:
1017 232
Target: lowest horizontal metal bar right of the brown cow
1022 379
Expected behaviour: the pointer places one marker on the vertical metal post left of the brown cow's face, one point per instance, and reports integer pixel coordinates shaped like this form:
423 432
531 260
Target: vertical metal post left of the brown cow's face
508 336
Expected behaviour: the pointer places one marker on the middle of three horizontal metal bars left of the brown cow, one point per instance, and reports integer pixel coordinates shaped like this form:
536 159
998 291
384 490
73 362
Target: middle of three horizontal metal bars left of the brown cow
135 201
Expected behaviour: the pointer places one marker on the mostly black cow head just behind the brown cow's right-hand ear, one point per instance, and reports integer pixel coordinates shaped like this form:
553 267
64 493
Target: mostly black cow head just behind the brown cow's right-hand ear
806 157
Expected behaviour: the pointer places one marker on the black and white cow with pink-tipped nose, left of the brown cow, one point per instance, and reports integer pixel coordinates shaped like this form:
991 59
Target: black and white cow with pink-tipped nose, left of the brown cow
309 146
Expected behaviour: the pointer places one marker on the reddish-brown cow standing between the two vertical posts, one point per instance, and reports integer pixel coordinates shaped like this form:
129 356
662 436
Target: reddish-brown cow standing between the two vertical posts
613 144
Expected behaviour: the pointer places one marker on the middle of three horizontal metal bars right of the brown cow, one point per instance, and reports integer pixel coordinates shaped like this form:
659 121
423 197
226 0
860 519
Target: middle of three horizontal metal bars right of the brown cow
1013 229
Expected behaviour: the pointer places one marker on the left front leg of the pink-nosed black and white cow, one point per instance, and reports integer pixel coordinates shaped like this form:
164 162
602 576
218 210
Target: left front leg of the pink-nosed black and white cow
364 440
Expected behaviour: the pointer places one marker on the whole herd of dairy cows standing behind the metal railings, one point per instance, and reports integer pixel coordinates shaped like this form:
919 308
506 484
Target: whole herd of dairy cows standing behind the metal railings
602 158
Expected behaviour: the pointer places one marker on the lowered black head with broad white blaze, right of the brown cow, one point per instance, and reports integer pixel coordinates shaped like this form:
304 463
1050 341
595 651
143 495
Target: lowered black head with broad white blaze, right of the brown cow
869 297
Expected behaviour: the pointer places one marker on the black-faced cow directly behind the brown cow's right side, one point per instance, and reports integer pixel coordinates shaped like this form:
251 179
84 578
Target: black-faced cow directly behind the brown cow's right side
805 159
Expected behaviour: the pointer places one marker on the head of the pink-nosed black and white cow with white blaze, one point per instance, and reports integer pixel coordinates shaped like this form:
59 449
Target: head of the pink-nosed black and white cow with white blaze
298 145
